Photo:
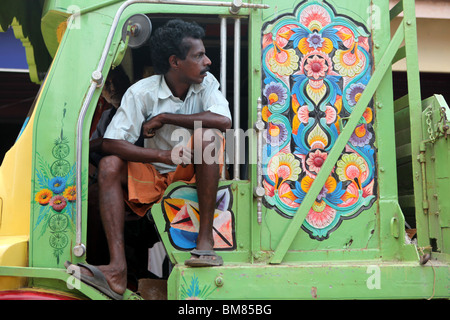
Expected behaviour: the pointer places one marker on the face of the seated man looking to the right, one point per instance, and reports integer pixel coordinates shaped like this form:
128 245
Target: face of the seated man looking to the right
193 69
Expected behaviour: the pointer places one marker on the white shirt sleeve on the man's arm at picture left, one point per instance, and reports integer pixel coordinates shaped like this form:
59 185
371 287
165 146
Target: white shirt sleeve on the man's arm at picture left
128 120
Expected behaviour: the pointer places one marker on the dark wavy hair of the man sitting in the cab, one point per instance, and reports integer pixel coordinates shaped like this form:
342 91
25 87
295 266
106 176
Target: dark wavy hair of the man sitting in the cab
168 40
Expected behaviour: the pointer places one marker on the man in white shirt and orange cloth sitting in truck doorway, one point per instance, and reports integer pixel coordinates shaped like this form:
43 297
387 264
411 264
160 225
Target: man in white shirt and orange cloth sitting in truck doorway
182 92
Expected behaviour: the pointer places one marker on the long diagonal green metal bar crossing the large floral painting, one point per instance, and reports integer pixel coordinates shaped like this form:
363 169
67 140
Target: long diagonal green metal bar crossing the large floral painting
341 141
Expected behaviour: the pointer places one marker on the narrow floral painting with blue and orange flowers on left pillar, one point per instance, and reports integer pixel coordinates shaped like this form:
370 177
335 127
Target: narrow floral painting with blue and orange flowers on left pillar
55 196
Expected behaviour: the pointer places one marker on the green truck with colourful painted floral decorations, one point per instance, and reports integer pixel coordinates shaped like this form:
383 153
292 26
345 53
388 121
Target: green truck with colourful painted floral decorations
334 190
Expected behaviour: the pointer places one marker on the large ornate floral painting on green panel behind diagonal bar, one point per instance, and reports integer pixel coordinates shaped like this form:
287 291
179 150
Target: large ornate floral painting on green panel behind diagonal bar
316 65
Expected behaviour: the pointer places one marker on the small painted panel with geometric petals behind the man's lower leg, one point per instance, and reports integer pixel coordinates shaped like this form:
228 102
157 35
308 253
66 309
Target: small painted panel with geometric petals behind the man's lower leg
180 209
